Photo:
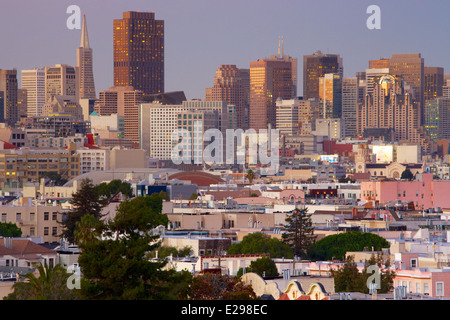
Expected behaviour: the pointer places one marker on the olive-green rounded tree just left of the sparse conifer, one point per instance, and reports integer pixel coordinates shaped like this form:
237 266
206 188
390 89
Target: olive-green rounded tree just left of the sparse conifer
260 243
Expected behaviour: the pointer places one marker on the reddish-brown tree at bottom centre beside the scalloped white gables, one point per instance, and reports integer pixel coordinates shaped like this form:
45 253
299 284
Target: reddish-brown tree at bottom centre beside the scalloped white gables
212 286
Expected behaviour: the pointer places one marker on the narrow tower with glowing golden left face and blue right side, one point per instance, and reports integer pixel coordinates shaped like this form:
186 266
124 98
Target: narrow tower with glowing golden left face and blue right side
330 92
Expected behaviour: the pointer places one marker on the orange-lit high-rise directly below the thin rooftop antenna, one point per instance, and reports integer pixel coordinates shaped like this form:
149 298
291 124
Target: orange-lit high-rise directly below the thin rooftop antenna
270 79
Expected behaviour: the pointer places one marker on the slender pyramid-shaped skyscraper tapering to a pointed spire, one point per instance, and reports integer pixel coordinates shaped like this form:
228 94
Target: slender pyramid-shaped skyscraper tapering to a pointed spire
85 65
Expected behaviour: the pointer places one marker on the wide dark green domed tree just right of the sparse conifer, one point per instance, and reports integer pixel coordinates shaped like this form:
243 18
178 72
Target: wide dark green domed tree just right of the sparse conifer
337 245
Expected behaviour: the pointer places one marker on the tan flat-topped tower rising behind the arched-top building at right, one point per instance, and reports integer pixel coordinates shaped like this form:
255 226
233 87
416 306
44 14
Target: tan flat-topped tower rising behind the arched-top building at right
410 67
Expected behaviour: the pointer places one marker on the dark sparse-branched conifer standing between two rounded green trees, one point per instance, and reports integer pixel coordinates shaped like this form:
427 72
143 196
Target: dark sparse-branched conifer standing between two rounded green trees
299 233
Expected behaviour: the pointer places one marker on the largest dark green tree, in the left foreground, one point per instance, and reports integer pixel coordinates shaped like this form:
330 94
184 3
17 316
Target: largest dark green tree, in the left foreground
116 261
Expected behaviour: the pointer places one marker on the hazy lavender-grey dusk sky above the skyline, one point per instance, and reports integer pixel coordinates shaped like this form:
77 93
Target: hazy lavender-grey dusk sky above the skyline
201 35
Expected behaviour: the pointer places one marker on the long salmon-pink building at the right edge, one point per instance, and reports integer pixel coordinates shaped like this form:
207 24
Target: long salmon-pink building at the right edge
424 192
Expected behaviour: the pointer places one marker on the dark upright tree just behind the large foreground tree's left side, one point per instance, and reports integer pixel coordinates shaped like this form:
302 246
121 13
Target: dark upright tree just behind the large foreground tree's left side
86 201
